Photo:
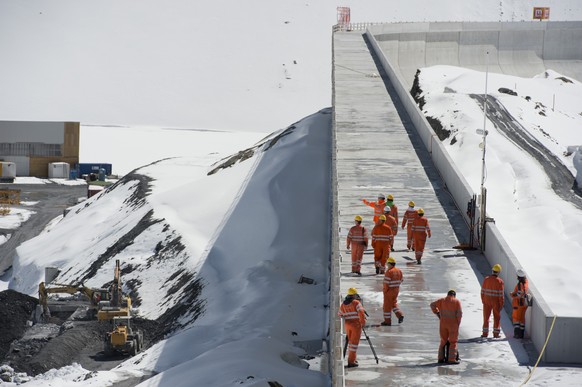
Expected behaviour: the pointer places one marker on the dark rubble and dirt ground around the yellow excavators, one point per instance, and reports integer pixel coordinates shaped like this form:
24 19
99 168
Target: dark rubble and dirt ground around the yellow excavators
65 339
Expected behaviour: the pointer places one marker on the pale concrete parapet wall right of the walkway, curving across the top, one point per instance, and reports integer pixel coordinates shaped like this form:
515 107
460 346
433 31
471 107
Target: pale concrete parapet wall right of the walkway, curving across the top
521 49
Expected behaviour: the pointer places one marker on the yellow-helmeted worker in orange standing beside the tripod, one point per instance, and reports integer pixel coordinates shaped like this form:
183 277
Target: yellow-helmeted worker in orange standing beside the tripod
354 315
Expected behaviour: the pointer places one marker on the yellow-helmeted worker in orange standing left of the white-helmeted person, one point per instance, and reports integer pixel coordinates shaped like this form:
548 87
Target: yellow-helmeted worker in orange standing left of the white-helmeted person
492 298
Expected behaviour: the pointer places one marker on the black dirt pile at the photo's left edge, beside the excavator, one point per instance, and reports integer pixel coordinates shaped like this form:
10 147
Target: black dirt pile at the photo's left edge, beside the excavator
16 310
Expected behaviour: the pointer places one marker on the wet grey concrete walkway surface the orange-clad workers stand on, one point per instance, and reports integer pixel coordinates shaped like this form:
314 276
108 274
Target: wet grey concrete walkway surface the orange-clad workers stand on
378 152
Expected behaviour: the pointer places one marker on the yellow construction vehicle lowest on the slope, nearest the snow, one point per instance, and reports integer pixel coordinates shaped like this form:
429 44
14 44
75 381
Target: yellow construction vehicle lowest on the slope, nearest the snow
123 338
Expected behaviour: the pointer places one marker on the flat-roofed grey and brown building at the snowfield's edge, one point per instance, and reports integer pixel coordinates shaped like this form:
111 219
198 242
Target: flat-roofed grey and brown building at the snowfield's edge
33 145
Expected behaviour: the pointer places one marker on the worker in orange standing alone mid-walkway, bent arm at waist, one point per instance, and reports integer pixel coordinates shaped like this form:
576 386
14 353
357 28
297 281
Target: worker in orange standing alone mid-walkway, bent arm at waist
448 310
